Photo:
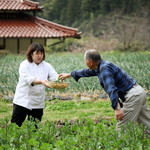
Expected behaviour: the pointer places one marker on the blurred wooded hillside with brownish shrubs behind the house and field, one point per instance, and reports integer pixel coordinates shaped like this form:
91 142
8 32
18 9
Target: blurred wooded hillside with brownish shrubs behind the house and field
105 24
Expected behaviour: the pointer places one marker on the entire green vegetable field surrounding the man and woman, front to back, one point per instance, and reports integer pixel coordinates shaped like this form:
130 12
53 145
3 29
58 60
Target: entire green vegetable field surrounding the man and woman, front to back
73 124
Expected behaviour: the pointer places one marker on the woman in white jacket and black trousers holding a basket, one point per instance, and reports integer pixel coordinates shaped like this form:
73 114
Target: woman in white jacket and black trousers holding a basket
34 74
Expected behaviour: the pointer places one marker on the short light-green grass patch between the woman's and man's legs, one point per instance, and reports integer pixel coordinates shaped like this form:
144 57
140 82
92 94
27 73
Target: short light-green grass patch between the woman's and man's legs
75 110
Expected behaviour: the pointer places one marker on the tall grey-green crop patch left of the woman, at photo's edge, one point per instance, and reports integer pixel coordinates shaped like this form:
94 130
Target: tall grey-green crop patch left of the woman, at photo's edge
9 73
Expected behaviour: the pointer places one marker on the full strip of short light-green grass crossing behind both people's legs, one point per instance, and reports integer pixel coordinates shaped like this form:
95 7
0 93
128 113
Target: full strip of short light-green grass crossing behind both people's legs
61 110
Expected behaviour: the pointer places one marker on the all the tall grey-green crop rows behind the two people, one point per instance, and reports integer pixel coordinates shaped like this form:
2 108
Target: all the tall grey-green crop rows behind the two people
135 64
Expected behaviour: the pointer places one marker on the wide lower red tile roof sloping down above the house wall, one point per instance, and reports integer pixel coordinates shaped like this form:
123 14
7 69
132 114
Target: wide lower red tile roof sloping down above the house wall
27 26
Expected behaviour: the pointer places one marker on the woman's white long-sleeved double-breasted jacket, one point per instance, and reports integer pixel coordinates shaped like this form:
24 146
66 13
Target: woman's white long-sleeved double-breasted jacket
29 96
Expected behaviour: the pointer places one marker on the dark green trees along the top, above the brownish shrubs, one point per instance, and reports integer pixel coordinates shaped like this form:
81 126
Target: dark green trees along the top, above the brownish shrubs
70 11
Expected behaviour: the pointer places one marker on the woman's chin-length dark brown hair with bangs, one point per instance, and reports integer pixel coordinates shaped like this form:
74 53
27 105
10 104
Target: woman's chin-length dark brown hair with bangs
32 48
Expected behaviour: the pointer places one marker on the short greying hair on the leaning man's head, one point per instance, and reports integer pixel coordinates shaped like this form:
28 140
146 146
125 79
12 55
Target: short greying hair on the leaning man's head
93 55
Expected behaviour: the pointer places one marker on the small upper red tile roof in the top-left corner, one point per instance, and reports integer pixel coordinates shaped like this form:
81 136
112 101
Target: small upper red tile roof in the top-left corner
19 5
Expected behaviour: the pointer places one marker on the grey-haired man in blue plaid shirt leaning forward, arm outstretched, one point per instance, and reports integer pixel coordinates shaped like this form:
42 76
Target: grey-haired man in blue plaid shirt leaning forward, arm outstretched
127 97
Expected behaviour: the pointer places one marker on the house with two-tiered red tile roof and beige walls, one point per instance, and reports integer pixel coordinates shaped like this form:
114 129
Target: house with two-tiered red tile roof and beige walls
19 26
